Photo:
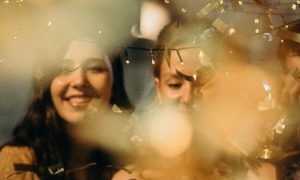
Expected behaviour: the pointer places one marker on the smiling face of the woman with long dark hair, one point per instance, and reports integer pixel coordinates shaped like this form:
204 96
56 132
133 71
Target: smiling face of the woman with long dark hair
85 77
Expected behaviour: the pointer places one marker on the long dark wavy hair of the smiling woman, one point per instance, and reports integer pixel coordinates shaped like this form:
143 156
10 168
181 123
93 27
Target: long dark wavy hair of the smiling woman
43 129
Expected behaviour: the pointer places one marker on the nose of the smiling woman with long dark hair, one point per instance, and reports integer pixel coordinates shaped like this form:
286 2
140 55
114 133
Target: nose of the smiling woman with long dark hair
78 78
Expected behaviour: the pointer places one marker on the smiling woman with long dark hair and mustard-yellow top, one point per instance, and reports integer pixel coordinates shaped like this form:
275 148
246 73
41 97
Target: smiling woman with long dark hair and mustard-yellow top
74 75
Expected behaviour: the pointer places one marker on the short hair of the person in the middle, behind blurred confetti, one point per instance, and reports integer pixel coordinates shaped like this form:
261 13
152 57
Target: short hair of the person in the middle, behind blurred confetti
208 38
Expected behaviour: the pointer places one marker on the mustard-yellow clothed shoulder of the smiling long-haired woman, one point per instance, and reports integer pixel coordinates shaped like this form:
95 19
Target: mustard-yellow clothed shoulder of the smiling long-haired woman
12 155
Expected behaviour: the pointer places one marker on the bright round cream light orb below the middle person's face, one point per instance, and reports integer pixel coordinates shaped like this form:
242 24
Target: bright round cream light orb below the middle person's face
170 133
